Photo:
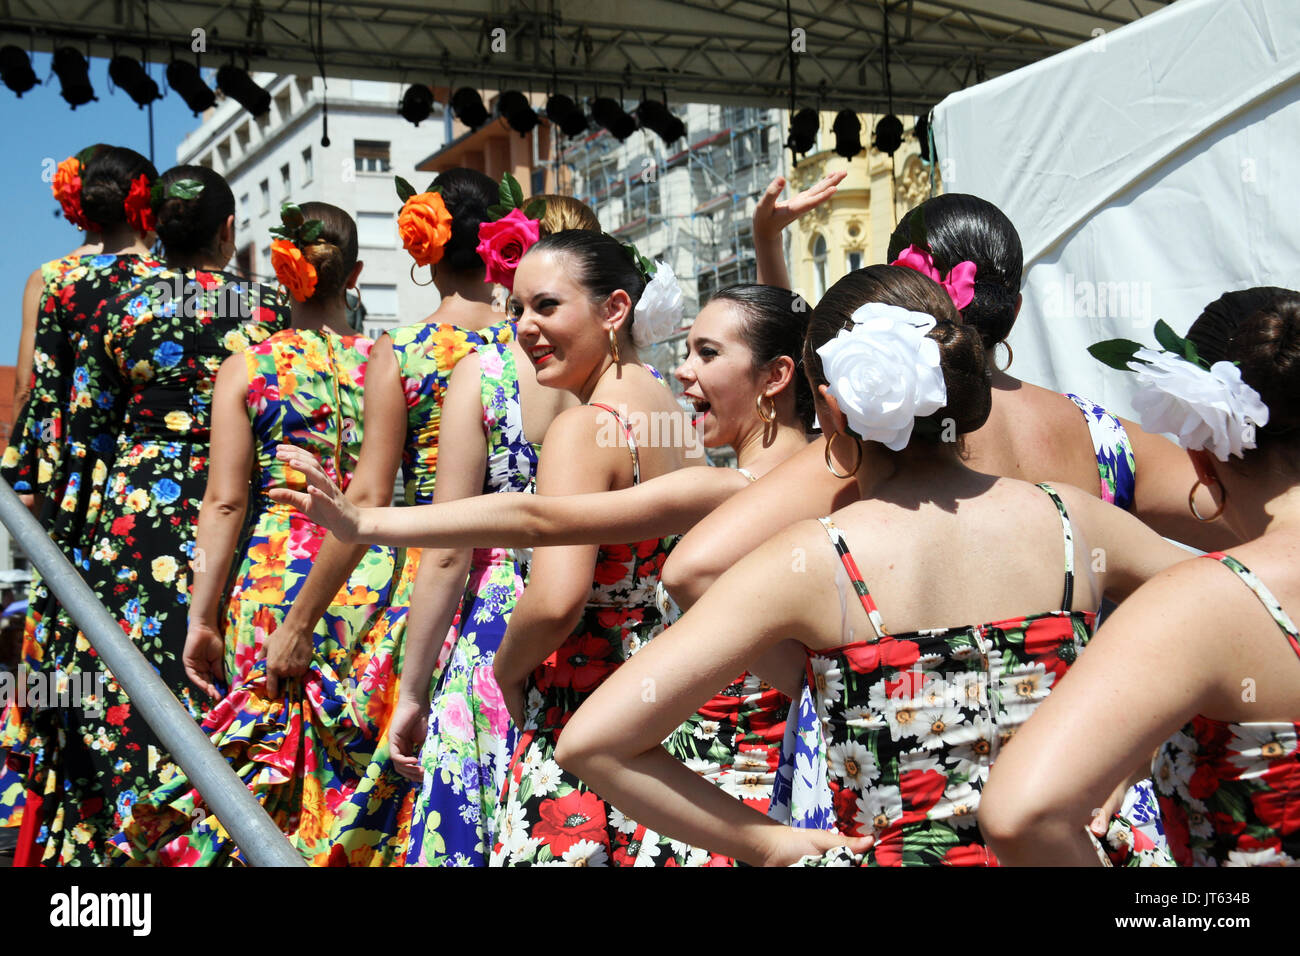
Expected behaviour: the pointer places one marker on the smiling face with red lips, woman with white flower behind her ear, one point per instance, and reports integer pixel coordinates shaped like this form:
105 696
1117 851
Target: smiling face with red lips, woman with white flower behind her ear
561 330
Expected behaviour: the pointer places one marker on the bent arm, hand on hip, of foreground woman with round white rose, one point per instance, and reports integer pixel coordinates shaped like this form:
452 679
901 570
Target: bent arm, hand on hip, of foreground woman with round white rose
614 742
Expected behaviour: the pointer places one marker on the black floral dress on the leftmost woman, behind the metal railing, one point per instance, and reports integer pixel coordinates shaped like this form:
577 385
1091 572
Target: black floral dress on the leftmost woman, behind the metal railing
59 451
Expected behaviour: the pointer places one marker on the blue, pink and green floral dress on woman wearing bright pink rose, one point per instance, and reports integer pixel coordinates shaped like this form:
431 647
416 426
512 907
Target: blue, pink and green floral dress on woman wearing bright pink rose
471 737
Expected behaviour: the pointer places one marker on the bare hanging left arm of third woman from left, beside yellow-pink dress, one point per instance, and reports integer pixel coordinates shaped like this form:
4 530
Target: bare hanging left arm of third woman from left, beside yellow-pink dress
220 522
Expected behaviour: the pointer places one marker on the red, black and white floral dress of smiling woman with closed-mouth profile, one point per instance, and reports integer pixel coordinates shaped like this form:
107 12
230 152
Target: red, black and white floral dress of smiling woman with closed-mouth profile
548 817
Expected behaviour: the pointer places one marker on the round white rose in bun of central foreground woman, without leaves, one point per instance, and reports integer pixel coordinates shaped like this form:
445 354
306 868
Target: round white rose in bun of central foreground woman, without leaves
886 373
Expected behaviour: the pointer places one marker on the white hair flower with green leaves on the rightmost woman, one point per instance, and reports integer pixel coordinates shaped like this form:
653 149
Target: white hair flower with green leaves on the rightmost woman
1208 408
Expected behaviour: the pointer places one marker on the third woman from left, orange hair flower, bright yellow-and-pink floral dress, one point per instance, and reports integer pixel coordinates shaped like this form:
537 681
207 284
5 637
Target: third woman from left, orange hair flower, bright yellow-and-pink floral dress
300 745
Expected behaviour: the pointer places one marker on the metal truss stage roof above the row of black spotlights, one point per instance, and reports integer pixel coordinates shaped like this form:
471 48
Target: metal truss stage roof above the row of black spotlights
713 51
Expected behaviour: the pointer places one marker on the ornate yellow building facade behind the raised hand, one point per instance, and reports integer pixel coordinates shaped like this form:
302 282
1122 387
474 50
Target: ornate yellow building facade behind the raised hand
853 228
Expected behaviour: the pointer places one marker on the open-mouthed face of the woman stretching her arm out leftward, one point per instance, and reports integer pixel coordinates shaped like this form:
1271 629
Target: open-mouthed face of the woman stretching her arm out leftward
720 377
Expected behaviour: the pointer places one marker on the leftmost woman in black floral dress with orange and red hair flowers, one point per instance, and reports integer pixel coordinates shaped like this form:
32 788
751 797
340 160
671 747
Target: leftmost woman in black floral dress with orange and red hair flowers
59 456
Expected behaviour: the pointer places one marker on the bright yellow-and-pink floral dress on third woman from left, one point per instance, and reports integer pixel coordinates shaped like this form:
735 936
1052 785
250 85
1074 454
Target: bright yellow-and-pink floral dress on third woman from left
305 754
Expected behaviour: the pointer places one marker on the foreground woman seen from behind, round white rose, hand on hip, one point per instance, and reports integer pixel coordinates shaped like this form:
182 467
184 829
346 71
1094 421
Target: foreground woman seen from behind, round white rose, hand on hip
915 715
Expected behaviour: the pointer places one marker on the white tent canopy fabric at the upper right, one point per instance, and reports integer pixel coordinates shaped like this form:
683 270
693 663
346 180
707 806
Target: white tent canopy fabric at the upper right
1147 172
